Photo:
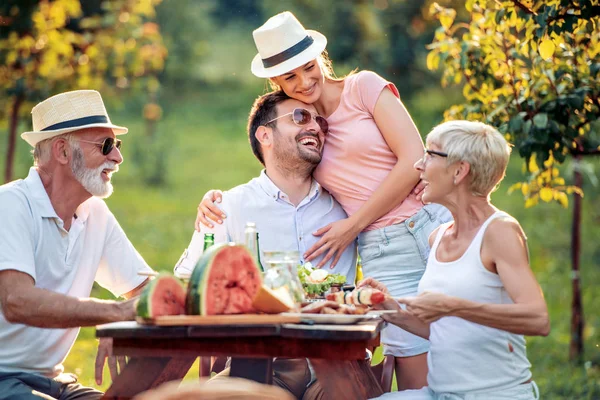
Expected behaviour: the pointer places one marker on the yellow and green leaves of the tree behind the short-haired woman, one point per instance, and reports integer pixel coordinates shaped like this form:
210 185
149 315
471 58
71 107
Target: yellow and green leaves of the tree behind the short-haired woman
533 70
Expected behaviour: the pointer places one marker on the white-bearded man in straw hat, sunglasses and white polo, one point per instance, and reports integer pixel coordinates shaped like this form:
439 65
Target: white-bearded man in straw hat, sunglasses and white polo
58 237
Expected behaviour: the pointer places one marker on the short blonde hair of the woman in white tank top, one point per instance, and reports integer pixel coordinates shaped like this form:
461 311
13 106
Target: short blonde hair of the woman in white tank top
481 145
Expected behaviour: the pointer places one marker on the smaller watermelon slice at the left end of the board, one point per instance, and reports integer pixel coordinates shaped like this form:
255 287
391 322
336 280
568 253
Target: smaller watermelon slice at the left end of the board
162 296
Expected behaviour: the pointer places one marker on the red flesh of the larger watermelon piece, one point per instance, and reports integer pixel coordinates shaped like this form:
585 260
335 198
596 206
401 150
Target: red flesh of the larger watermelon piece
233 281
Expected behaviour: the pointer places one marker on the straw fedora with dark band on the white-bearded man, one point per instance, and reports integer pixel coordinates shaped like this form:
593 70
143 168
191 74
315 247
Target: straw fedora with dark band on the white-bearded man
68 112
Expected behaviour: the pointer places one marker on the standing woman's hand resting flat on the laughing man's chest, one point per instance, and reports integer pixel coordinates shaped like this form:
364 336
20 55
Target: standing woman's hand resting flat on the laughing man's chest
335 238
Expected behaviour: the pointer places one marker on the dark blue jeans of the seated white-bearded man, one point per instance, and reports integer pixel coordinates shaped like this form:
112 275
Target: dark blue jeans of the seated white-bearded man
25 386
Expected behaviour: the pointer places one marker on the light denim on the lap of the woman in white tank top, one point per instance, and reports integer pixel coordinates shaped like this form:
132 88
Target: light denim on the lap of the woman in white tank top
525 391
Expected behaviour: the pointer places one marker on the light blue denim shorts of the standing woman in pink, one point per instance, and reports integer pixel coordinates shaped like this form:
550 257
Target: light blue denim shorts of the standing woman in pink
396 256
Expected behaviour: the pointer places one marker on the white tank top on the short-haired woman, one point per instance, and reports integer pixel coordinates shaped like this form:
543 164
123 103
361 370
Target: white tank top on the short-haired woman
465 356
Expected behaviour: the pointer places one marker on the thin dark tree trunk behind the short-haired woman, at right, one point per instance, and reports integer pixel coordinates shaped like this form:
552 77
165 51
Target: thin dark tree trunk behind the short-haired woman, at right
577 323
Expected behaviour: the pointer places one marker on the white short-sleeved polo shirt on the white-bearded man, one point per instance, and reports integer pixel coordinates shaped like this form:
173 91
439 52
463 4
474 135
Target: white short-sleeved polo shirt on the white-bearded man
33 241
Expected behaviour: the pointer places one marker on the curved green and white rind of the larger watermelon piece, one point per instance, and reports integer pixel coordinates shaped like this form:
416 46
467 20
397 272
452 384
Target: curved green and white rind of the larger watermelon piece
199 279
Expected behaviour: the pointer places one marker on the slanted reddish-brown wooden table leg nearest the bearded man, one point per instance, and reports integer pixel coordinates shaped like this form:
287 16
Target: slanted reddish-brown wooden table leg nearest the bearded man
143 373
